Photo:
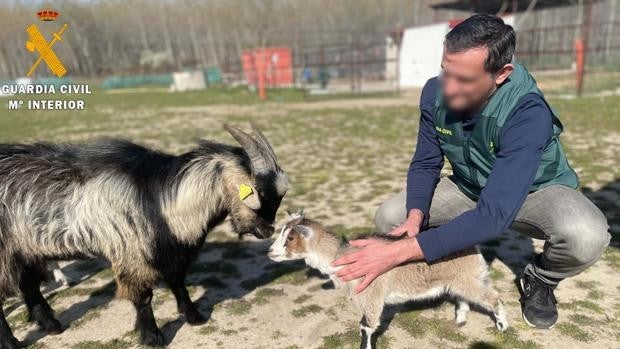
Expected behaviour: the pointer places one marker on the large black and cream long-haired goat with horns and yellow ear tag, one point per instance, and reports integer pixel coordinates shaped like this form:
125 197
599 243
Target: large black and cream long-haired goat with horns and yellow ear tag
147 212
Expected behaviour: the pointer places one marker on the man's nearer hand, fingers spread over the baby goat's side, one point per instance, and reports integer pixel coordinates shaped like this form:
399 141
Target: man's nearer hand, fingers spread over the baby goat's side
374 258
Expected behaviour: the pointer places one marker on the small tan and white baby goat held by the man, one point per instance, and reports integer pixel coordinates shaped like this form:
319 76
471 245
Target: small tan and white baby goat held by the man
463 276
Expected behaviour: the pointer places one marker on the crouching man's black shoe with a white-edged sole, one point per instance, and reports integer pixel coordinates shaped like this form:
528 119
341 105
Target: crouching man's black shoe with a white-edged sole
538 303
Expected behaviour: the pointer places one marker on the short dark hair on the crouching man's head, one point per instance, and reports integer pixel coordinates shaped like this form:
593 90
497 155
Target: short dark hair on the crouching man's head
484 31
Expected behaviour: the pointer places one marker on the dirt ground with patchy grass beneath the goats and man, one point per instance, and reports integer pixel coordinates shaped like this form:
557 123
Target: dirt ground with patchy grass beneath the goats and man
344 158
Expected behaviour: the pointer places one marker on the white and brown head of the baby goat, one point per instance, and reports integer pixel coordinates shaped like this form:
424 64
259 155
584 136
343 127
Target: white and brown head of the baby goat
295 239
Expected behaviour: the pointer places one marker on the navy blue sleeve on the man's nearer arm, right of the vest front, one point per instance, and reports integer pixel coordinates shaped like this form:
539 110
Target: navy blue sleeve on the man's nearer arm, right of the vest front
523 140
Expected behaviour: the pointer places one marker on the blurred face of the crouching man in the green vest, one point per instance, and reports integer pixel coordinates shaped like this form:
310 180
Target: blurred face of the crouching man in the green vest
466 85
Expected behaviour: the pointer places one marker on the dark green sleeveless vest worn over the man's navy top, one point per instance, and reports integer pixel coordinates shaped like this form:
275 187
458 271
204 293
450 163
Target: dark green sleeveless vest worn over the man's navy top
472 157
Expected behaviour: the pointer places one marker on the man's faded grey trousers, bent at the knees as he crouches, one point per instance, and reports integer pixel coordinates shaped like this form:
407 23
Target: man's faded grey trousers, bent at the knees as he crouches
574 229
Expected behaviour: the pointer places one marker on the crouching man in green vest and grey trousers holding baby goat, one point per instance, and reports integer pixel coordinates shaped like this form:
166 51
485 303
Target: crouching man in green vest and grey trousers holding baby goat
487 116
